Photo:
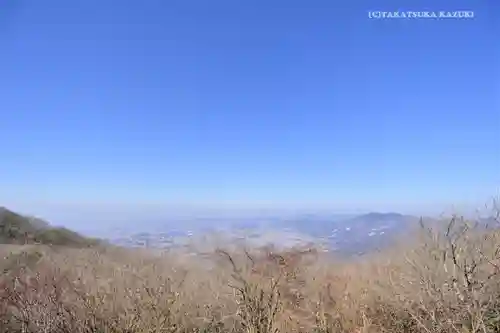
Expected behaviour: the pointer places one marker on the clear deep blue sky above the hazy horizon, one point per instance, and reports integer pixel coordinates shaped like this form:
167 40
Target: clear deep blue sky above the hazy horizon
248 103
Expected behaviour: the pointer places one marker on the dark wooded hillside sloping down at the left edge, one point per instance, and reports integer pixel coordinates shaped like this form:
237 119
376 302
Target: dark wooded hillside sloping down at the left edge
19 229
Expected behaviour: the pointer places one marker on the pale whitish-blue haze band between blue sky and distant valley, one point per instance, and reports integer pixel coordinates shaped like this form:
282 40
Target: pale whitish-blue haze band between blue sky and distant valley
83 217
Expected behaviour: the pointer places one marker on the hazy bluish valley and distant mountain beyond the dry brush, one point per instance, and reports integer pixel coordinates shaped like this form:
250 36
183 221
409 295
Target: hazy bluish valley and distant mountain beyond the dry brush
343 234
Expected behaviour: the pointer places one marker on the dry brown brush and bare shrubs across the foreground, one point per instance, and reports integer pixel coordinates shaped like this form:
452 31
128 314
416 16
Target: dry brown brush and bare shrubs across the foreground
446 281
